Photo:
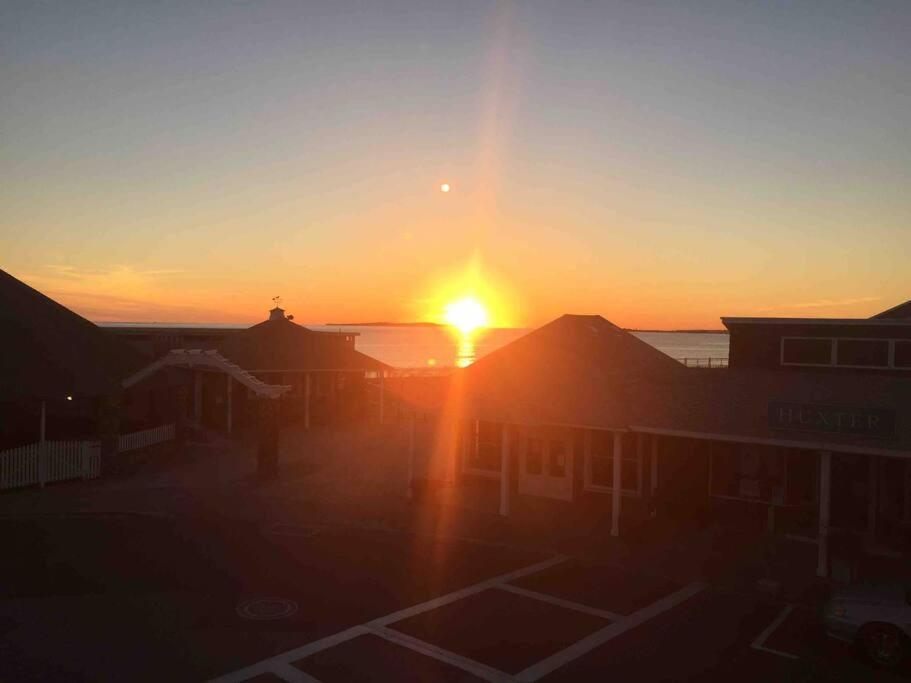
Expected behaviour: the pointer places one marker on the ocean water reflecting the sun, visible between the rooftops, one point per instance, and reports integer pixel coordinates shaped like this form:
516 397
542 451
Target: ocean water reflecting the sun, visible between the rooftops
422 347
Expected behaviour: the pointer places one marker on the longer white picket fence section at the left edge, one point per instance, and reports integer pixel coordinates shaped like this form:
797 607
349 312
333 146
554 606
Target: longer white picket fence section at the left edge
51 461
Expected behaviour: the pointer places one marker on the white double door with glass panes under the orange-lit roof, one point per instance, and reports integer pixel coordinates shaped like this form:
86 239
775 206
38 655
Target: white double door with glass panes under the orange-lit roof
546 464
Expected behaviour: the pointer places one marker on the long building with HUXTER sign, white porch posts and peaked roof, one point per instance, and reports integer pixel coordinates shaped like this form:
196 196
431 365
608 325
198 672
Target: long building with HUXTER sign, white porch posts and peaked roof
808 433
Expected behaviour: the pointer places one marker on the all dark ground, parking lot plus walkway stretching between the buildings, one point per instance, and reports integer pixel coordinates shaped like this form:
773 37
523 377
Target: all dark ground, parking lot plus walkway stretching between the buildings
155 575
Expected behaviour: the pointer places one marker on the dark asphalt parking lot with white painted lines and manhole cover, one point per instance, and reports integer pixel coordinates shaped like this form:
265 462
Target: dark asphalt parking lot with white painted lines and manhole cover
131 597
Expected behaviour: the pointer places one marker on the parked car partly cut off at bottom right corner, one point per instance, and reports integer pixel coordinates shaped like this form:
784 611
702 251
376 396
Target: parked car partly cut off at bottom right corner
875 617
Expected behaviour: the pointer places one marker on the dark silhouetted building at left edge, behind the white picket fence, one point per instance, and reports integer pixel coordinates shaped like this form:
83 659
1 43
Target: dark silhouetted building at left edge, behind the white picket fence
52 357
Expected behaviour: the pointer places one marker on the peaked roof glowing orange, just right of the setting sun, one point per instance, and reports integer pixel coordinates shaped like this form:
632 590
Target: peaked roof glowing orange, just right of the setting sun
573 371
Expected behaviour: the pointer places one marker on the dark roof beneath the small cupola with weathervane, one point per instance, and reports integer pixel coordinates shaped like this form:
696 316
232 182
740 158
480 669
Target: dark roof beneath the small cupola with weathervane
278 345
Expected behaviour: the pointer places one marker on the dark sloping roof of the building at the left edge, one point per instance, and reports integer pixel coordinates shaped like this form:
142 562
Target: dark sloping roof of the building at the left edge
47 351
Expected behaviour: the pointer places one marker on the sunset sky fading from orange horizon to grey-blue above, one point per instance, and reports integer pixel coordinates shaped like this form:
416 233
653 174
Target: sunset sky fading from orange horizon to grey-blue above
661 164
